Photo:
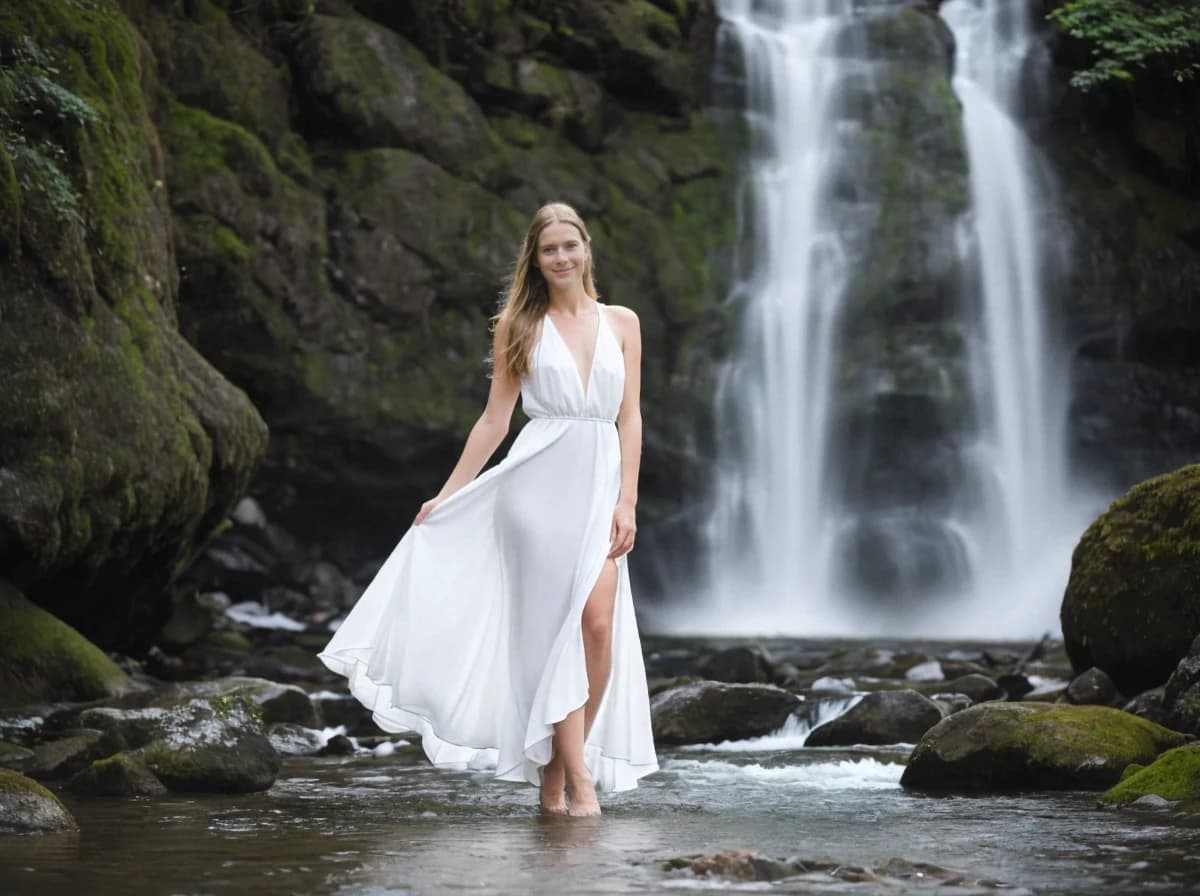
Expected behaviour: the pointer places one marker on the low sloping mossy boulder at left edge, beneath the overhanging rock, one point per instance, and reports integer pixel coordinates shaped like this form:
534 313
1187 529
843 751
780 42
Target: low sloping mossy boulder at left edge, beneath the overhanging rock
43 659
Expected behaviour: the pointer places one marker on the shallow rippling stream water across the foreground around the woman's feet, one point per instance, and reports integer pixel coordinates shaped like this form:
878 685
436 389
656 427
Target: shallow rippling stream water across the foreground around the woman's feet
383 826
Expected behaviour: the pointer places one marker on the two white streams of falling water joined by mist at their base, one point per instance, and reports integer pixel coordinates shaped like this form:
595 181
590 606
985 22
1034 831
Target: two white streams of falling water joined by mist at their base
775 527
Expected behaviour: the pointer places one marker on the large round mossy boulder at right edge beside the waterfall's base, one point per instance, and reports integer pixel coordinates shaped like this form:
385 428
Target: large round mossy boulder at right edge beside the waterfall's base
1132 605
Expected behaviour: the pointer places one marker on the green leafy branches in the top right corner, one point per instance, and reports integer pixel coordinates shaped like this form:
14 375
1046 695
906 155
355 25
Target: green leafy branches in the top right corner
1129 35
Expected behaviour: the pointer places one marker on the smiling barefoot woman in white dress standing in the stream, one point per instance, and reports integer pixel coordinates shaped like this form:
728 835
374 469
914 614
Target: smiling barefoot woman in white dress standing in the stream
503 622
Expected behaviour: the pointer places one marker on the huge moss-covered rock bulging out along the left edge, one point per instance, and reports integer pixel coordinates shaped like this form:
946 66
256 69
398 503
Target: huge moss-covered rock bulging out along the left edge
121 447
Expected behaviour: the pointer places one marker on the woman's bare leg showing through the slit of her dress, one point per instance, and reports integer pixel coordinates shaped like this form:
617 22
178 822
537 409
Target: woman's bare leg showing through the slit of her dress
572 733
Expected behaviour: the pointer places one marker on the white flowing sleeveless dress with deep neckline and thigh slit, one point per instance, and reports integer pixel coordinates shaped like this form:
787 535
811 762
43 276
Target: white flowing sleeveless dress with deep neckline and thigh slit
471 633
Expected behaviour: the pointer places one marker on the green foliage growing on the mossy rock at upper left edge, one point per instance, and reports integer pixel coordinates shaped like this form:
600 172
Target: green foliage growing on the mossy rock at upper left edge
33 105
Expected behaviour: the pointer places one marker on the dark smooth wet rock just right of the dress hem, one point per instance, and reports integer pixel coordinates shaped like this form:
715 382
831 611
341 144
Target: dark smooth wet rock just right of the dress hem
713 712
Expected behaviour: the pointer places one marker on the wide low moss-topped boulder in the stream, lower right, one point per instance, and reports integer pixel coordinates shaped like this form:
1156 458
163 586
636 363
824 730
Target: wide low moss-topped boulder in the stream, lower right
1033 747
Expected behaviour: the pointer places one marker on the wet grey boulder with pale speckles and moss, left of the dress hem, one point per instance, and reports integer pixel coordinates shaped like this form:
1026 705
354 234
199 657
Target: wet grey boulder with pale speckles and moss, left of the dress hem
214 745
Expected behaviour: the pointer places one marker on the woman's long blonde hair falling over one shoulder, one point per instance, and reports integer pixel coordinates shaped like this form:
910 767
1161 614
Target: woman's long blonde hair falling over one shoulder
527 297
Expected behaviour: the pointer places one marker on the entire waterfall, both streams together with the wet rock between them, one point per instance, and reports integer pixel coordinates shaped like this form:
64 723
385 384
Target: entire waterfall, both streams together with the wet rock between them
886 466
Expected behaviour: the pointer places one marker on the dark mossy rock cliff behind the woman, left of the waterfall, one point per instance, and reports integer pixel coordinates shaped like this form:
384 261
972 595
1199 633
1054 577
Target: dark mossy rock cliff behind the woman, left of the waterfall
344 230
